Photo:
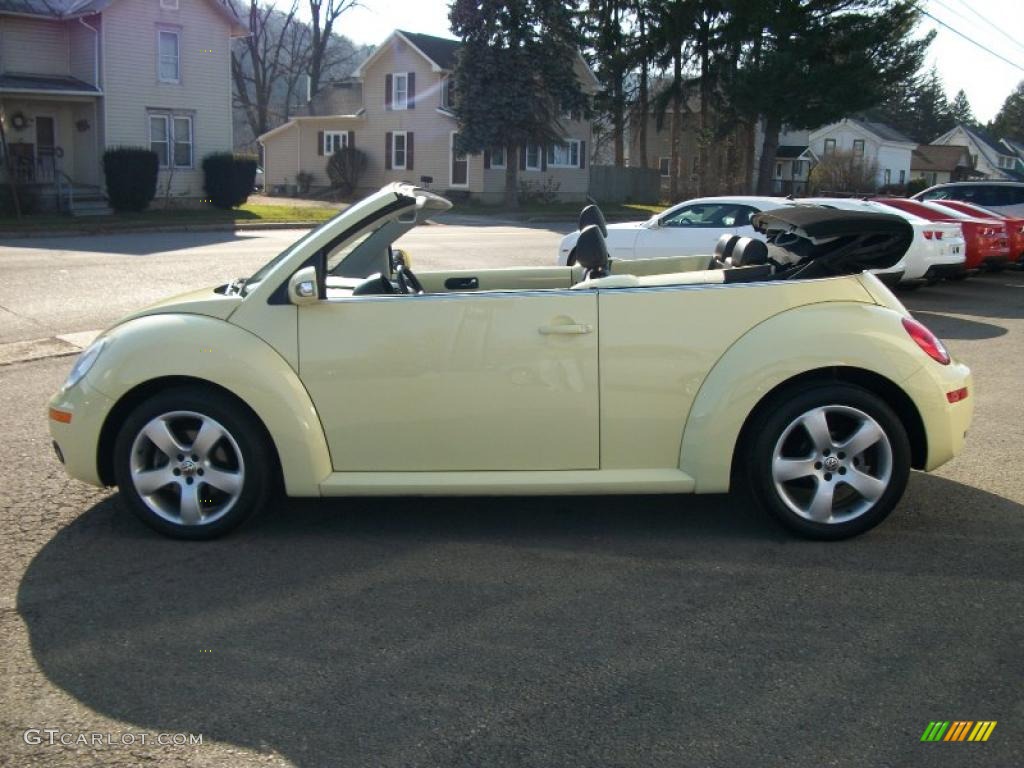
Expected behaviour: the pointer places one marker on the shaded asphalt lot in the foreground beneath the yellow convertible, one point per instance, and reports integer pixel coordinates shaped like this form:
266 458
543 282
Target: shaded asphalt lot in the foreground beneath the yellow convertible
520 632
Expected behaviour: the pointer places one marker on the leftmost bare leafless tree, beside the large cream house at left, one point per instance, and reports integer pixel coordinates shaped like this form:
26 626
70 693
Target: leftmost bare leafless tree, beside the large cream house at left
259 62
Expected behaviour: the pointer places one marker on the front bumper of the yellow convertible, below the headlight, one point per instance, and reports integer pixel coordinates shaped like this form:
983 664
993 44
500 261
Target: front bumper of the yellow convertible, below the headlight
78 440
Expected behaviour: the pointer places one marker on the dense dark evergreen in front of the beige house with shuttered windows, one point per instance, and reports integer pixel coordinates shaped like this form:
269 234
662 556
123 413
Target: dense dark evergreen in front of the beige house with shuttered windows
516 76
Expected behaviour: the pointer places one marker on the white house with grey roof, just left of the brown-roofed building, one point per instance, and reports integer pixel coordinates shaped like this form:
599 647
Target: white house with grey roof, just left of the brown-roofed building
874 142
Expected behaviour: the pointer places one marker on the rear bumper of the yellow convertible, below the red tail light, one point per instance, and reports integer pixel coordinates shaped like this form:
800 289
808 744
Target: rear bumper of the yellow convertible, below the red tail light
946 423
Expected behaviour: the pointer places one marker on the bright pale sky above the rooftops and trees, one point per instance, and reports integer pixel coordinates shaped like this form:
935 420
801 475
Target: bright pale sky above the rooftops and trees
997 24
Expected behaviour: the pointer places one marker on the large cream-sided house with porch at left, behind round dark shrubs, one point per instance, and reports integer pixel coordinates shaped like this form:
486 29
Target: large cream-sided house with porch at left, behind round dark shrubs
80 76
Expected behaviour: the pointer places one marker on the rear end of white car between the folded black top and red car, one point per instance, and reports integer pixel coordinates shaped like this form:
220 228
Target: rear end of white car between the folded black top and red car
938 249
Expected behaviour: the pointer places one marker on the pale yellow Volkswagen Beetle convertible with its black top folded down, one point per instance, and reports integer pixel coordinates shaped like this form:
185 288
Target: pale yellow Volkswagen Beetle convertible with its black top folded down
336 370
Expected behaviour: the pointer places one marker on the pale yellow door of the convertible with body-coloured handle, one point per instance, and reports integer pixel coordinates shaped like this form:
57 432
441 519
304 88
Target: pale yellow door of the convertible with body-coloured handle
503 380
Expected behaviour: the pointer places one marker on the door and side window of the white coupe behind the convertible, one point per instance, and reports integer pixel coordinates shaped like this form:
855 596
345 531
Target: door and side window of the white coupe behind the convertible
691 230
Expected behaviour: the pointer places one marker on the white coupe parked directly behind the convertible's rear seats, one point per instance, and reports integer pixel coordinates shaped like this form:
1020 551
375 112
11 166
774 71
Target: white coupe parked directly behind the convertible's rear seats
695 227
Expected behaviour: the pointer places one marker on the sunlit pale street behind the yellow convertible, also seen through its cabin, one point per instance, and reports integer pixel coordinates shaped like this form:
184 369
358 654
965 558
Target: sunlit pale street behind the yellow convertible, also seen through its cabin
52 286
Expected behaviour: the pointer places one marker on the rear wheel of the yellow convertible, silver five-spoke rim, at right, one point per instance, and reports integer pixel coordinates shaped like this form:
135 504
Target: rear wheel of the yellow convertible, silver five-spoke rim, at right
829 463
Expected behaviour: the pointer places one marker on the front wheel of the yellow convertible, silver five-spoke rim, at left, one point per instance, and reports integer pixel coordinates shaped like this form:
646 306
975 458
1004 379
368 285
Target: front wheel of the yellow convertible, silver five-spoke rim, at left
193 464
